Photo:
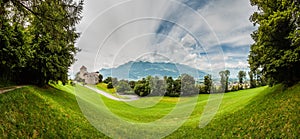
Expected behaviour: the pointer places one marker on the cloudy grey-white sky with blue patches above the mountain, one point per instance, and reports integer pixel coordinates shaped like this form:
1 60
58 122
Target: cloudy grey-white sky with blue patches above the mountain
210 35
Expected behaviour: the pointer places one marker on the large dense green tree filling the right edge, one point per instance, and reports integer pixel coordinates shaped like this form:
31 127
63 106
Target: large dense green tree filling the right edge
276 49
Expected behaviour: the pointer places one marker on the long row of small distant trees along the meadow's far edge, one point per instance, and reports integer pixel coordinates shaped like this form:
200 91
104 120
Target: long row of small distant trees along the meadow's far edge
183 85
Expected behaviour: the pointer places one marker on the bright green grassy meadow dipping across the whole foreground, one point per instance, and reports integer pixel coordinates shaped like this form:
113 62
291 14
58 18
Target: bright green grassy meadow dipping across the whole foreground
56 112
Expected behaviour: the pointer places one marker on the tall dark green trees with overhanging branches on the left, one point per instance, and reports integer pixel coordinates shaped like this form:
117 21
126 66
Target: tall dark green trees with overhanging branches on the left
37 40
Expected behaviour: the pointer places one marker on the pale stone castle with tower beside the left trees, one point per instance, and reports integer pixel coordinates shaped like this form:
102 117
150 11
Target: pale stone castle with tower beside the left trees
88 78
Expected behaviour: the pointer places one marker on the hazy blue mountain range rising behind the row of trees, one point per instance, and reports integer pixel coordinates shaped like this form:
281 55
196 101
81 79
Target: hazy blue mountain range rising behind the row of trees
135 70
